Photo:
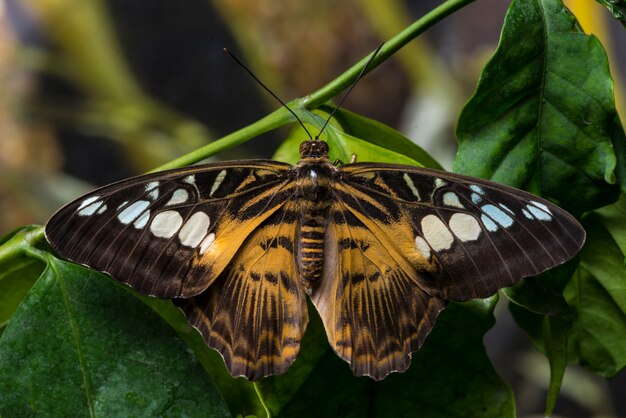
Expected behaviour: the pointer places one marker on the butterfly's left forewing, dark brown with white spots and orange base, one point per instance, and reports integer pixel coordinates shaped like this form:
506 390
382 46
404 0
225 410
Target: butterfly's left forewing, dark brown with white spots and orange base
170 234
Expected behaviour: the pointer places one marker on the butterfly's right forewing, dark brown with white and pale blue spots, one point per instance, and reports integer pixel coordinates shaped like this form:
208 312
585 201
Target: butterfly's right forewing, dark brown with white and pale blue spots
459 237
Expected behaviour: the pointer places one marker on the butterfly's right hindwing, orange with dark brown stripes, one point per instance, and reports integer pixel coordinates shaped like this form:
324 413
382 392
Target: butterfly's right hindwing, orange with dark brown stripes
374 312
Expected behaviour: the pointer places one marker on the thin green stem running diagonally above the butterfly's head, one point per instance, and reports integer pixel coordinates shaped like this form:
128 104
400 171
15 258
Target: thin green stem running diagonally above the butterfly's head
281 116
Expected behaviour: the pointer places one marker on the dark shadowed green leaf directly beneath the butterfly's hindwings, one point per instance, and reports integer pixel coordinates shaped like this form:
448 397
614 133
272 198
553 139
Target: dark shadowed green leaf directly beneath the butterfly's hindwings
449 376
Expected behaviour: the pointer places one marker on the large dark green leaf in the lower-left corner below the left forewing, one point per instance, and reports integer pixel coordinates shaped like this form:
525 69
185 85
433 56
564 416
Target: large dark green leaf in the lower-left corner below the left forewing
80 345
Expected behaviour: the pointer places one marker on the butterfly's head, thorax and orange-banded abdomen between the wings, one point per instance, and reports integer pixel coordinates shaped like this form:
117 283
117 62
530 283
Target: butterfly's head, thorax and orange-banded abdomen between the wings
314 174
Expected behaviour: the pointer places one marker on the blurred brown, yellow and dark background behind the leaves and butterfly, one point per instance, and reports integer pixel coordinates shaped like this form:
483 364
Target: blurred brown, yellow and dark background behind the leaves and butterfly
93 91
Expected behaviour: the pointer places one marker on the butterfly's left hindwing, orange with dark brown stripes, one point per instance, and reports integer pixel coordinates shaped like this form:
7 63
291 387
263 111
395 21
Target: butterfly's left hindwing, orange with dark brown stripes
254 314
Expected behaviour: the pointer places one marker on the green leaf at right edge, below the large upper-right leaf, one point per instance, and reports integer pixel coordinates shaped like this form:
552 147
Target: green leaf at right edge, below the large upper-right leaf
597 293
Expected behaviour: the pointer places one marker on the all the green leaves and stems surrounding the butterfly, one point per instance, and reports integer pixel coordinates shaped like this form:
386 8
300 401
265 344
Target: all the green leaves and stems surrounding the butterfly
542 118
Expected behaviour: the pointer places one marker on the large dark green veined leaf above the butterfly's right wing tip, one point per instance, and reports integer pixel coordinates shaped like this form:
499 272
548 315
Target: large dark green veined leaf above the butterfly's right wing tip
543 111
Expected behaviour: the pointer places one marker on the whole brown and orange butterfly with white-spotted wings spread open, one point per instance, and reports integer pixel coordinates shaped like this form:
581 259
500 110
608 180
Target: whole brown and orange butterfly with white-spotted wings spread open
378 248
